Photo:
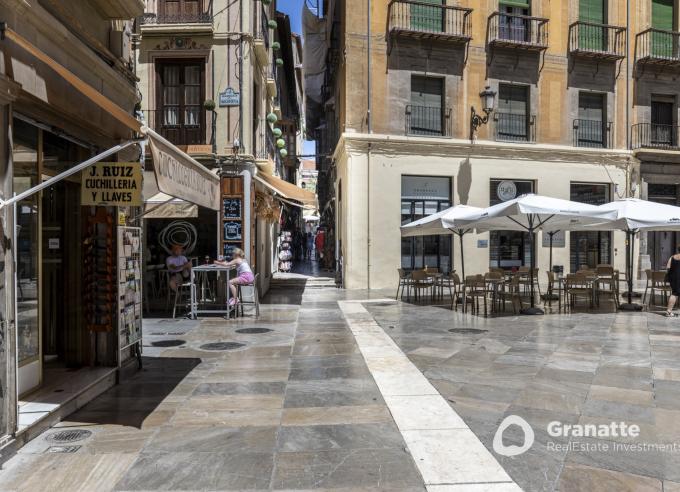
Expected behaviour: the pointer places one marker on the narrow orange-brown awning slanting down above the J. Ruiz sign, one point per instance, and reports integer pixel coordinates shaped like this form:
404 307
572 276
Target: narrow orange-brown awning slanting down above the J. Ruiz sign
84 88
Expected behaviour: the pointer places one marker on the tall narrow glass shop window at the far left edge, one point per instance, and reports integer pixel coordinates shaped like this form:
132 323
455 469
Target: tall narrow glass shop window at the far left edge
26 175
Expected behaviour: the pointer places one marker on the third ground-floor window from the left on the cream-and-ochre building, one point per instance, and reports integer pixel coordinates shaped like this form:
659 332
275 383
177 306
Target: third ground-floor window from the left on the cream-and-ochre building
587 249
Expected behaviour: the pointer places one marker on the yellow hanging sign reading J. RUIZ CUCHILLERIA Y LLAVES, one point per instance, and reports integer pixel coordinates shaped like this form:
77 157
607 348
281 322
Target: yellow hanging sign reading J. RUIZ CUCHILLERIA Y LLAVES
112 183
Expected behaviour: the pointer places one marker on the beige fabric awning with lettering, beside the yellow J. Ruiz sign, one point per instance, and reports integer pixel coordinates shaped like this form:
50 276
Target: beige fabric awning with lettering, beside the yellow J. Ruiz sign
180 176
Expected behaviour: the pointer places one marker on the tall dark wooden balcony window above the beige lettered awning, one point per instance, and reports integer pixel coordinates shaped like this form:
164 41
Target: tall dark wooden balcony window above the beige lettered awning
180 116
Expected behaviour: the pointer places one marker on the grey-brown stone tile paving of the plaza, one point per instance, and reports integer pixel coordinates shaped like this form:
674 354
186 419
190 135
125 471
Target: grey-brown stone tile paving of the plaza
298 408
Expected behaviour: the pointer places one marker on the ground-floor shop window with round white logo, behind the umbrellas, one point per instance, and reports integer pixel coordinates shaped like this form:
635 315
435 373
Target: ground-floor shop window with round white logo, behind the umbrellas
509 249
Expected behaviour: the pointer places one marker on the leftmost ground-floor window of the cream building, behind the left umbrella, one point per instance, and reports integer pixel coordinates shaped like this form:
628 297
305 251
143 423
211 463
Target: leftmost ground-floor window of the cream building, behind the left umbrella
422 196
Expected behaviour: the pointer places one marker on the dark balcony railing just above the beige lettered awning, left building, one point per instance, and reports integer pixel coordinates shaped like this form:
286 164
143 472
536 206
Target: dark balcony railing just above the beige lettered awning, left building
181 127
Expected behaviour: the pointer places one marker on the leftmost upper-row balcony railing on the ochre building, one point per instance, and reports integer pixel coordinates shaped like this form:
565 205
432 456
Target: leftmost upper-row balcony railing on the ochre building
428 20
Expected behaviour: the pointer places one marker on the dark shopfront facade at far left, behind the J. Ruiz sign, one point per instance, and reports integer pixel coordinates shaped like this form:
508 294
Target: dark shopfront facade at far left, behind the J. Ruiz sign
67 93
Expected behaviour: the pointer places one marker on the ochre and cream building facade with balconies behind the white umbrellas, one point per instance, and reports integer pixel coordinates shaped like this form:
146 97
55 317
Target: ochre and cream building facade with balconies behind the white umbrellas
585 109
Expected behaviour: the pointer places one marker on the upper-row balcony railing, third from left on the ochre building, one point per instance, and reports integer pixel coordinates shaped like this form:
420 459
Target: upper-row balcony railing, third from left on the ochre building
597 40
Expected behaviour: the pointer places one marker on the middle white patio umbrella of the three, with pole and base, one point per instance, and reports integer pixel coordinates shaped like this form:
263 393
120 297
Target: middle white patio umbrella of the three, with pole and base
530 213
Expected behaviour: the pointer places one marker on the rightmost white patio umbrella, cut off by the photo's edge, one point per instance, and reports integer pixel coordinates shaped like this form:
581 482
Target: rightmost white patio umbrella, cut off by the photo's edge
632 216
